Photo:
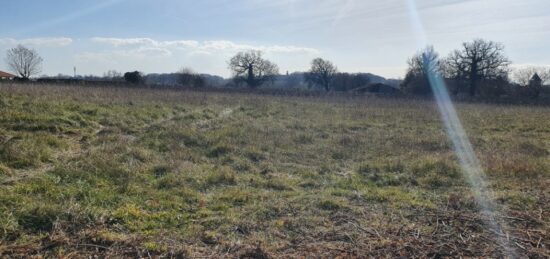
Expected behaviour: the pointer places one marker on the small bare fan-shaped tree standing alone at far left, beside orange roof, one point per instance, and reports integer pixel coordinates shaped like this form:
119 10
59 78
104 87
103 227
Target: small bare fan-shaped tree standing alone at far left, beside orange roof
23 61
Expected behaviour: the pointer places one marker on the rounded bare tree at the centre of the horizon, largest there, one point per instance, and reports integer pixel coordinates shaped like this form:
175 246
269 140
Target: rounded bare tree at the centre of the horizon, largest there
252 68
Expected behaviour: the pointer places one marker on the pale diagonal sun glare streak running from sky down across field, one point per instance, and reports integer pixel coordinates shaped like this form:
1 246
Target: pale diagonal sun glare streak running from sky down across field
471 167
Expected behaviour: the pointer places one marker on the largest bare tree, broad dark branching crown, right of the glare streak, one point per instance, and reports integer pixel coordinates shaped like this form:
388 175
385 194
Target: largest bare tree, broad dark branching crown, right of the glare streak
476 61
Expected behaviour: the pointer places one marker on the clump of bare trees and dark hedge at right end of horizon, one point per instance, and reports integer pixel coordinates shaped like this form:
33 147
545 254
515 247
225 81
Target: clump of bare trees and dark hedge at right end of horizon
478 68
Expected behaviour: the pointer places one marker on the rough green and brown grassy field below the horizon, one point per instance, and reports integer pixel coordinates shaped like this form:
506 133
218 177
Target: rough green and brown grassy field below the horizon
146 173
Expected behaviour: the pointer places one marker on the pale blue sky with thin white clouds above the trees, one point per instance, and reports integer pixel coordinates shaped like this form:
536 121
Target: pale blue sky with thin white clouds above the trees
162 36
